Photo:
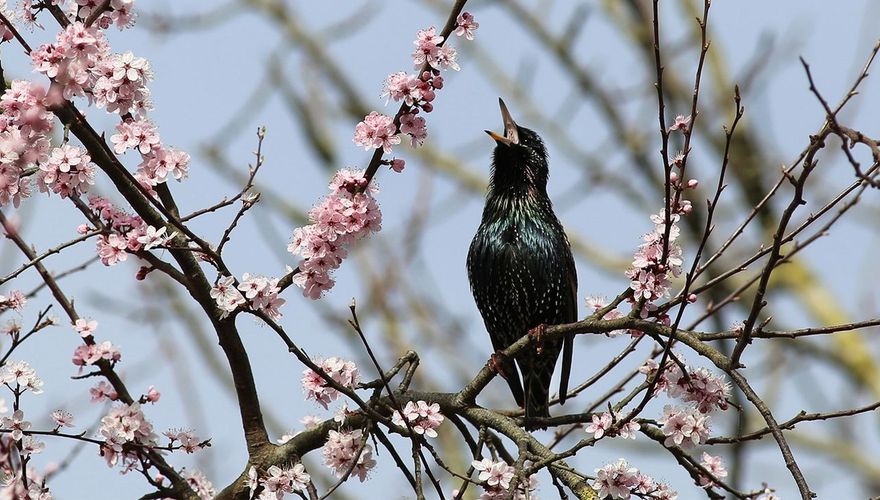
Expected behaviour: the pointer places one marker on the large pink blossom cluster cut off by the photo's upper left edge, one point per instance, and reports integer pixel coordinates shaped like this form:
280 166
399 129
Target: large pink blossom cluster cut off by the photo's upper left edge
25 124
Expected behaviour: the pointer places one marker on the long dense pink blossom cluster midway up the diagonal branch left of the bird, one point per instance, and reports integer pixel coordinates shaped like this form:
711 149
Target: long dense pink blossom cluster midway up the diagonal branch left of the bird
349 213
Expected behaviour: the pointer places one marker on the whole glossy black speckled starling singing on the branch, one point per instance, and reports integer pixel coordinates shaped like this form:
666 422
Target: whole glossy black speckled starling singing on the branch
521 270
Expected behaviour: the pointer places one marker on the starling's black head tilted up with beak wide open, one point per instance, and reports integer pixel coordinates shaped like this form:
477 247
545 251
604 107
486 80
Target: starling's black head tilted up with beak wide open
520 159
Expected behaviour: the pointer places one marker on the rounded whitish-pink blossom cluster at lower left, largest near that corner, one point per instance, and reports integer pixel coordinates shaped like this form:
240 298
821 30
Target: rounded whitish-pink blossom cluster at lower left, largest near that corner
125 424
